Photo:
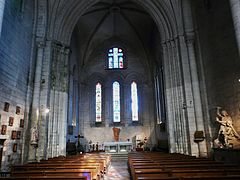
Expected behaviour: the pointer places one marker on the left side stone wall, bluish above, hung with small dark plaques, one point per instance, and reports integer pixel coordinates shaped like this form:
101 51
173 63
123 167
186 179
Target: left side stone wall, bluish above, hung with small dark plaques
15 60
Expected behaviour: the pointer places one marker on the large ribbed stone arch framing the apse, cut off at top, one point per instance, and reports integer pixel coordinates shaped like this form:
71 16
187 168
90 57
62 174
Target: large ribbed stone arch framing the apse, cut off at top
68 13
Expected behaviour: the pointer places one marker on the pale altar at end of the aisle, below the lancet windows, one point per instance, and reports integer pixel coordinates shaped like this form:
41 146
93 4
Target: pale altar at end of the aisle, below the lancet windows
118 147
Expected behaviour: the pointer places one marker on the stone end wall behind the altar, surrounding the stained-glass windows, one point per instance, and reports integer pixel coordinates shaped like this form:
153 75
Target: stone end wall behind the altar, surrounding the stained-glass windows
95 70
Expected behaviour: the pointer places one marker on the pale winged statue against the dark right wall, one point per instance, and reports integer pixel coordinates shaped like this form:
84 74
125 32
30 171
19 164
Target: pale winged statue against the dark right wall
226 131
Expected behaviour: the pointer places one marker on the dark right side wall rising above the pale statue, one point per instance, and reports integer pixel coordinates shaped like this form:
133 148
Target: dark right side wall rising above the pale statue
219 58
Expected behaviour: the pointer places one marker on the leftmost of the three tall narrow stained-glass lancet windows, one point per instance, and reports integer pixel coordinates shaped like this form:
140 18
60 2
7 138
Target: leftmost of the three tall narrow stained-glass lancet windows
98 102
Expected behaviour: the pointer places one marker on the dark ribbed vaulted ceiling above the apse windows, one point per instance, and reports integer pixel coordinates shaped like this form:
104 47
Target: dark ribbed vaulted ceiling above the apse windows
121 21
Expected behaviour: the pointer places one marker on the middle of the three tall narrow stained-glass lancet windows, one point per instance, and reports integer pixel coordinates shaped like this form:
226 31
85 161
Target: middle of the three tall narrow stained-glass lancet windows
116 102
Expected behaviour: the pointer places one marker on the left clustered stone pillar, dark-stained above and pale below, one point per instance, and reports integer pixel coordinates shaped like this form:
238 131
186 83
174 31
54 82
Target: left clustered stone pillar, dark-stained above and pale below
57 130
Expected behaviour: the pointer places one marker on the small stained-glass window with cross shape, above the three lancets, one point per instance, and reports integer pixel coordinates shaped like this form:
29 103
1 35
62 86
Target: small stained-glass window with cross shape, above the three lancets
115 58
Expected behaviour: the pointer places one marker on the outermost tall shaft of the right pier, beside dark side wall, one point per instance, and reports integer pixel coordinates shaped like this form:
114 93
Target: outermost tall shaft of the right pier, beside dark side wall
194 103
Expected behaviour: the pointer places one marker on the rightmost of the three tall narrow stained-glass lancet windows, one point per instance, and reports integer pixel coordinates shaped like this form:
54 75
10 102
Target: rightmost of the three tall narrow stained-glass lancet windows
134 101
